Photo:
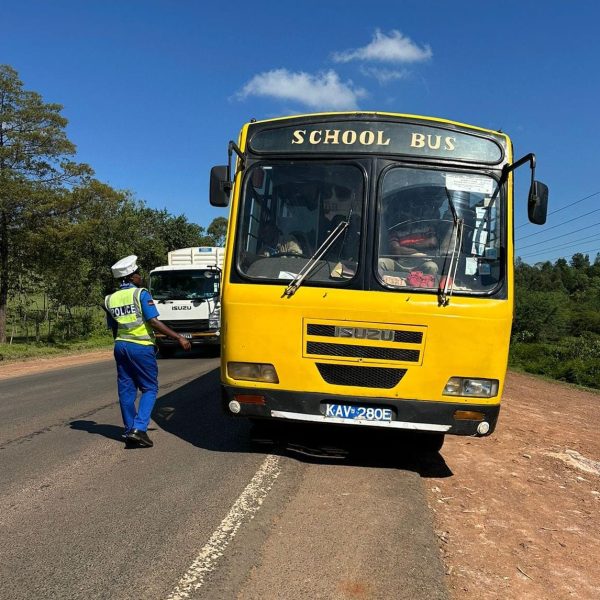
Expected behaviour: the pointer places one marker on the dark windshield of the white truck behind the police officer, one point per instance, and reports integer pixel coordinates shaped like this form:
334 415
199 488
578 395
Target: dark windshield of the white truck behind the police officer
184 285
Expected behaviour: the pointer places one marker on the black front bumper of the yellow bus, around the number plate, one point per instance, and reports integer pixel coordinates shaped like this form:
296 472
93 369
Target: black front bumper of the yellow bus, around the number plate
412 415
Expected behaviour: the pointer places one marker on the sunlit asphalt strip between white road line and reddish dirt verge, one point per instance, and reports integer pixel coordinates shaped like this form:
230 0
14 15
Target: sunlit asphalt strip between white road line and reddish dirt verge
343 535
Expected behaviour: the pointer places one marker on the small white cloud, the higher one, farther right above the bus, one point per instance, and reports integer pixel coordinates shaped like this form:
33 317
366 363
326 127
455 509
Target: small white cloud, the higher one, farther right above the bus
393 48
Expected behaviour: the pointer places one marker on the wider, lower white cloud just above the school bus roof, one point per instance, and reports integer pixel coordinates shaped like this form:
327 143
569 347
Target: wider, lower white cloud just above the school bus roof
322 91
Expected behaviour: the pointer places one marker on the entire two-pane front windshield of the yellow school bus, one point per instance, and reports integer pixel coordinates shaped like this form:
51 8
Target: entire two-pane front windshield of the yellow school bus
288 211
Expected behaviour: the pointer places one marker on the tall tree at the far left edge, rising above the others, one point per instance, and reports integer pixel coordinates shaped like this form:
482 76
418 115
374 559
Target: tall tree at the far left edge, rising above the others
34 169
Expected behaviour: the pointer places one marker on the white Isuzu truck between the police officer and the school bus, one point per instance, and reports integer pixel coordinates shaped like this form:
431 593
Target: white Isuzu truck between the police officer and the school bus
187 295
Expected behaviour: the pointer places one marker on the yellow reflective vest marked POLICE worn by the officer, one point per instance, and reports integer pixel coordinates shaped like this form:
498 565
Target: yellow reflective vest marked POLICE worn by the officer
125 308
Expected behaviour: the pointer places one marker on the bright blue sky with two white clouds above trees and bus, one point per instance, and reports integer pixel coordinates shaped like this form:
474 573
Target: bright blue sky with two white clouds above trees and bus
154 89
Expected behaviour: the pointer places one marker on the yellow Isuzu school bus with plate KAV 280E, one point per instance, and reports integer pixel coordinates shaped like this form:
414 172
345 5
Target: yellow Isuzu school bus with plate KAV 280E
368 277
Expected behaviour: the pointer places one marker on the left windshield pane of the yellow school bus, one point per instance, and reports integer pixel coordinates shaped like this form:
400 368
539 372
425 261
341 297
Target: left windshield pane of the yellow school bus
288 212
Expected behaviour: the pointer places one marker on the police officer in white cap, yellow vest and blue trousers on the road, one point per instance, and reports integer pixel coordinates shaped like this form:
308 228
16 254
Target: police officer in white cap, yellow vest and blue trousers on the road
132 316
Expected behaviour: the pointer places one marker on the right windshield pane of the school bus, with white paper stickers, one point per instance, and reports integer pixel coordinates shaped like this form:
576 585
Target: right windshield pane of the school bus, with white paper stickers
418 234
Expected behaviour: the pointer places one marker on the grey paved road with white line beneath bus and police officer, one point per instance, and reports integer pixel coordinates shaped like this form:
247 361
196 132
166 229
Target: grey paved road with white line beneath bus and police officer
215 510
